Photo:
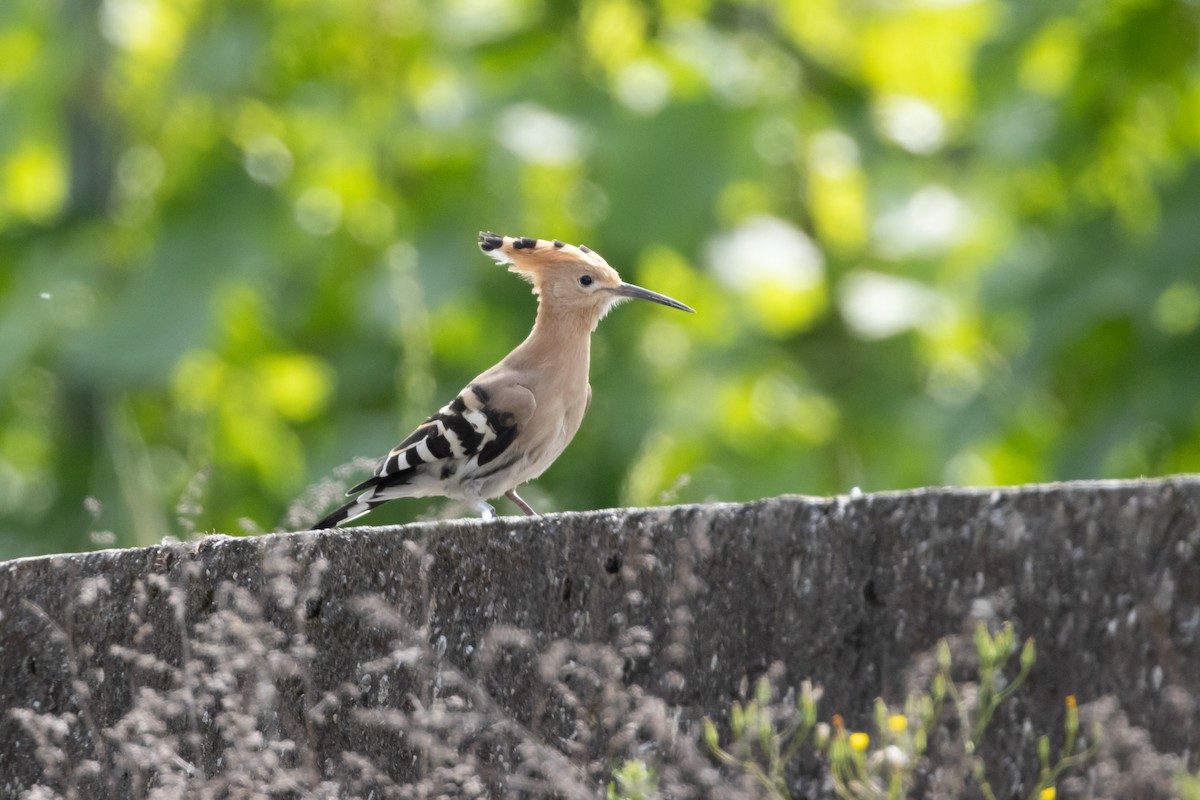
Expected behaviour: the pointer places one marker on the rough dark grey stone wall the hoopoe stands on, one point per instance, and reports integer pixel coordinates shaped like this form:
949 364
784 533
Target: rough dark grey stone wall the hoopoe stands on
692 603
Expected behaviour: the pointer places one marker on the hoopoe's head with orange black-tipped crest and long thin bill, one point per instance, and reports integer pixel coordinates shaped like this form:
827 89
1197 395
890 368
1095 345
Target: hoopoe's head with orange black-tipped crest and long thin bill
568 280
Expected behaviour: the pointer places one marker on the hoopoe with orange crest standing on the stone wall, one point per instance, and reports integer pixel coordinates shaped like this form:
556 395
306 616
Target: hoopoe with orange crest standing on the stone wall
514 420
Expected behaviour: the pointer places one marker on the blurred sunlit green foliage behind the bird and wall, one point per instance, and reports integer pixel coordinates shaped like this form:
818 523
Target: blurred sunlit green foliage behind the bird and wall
941 242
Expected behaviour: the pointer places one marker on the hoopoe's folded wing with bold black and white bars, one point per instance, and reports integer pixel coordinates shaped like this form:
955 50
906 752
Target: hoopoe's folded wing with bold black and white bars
481 424
